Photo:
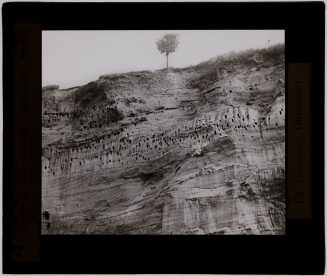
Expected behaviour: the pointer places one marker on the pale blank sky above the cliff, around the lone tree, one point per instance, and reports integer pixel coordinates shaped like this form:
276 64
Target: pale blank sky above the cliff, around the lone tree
73 58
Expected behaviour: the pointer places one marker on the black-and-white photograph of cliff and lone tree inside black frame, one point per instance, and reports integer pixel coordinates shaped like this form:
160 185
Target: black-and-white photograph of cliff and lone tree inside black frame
163 132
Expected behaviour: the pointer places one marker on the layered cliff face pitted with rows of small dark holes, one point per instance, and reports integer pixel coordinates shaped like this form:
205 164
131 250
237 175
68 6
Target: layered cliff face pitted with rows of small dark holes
198 150
